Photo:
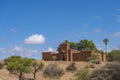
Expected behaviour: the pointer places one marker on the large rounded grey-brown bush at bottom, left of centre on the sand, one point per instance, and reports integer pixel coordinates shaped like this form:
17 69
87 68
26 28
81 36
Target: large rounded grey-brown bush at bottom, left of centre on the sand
52 71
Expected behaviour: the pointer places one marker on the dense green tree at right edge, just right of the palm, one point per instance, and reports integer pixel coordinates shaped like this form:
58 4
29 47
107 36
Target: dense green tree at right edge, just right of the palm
114 55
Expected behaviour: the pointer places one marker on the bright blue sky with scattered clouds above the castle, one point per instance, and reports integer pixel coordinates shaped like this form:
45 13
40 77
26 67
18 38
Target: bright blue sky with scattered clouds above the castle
28 27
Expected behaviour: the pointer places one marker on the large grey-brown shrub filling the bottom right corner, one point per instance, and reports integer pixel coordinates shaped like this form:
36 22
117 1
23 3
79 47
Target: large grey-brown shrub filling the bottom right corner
110 71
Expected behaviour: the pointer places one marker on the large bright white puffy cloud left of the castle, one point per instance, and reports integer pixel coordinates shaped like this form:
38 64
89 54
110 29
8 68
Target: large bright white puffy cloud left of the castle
35 39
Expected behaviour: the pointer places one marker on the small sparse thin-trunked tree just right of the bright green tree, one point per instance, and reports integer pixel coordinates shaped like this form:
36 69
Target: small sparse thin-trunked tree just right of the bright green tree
36 66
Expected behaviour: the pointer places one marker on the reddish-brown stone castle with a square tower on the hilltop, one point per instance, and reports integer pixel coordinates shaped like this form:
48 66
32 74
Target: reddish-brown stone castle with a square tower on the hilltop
65 53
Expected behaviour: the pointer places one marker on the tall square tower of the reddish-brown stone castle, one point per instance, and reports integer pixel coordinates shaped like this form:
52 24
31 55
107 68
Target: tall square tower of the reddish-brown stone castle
64 47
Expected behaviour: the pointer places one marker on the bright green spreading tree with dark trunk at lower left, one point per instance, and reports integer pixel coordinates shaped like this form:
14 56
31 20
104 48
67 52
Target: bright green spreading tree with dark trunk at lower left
18 65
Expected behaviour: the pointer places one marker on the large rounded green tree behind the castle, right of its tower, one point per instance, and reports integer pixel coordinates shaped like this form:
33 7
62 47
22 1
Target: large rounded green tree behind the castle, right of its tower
86 45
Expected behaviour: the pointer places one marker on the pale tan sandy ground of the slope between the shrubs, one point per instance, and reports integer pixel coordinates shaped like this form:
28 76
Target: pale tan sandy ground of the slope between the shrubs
5 75
